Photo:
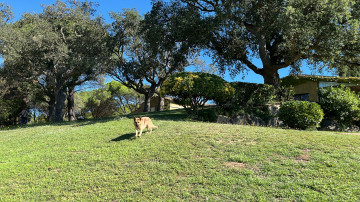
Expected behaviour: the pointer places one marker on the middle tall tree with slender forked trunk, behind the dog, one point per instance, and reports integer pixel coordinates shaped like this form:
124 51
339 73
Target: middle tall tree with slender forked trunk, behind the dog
147 51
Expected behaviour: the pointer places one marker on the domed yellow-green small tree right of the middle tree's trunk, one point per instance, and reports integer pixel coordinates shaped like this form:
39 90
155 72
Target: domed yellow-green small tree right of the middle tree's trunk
193 90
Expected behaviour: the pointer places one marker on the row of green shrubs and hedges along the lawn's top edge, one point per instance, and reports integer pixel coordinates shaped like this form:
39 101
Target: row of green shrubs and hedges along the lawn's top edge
253 104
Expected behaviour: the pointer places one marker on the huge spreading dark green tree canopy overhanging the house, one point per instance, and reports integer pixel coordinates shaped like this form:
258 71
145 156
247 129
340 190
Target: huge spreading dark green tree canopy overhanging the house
281 33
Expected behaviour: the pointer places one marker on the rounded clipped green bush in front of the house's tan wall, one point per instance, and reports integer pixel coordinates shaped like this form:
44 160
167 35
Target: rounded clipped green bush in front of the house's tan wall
301 114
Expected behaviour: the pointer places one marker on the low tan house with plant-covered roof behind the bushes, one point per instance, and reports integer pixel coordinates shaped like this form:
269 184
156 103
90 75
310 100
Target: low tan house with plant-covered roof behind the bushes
306 87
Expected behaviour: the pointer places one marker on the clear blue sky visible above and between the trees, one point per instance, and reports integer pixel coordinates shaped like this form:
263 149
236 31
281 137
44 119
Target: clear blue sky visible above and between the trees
105 6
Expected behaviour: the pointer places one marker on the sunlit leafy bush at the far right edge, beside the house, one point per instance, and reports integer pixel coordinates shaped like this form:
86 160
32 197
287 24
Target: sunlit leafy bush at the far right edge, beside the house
341 104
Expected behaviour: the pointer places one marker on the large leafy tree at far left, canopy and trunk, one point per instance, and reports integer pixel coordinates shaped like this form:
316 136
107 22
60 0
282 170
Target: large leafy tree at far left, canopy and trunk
58 49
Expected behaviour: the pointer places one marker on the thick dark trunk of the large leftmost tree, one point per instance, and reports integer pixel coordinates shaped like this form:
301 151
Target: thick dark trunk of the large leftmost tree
60 97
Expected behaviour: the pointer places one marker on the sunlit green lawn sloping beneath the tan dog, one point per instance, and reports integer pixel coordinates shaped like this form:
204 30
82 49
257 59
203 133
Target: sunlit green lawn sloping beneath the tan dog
99 160
